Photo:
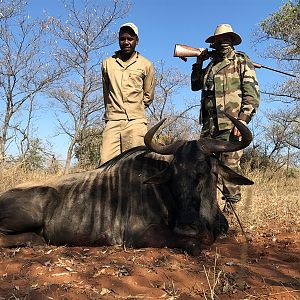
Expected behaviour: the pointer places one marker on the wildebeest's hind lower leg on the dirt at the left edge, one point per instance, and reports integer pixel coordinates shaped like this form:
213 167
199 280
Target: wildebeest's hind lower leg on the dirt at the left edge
23 239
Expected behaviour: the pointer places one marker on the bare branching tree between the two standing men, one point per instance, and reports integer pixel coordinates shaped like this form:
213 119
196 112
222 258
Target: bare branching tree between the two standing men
182 122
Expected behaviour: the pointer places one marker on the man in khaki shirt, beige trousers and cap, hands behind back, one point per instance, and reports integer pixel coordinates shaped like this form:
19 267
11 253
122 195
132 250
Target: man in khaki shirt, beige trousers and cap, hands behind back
128 88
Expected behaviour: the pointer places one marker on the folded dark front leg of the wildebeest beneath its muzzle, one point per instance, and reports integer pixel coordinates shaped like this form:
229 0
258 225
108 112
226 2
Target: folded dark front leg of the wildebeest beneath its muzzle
157 236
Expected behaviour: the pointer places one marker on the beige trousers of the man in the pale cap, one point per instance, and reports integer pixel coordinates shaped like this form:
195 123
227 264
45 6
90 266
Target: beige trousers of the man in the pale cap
121 135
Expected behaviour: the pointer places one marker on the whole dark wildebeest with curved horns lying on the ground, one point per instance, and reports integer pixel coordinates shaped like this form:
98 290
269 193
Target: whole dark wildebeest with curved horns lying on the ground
152 196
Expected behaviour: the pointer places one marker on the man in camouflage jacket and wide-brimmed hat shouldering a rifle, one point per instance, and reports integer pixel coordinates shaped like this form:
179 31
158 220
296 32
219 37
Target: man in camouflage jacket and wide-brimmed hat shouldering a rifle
228 83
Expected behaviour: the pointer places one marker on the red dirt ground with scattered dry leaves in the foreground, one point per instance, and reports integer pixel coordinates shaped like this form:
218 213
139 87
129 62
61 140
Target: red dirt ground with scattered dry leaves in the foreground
267 267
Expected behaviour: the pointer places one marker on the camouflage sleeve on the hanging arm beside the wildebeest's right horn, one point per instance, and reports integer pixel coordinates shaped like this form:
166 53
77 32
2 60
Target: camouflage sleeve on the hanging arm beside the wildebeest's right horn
250 90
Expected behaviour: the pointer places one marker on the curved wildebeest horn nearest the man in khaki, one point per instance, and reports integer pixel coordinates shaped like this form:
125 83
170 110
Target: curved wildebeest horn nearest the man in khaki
160 149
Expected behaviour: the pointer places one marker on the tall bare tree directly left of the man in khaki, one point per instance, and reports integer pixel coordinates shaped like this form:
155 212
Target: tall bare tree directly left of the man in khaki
80 41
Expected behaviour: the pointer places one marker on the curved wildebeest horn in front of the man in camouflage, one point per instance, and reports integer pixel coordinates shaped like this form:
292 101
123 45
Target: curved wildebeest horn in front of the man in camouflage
210 145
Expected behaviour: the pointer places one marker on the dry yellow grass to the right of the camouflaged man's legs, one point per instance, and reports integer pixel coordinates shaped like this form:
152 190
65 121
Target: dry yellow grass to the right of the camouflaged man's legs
275 200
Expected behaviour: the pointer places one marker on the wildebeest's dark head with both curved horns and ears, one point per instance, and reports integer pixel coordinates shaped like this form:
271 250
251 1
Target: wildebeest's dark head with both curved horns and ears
192 176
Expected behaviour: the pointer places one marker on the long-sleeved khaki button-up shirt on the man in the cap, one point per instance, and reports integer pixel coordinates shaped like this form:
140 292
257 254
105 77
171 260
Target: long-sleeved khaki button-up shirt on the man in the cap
128 87
